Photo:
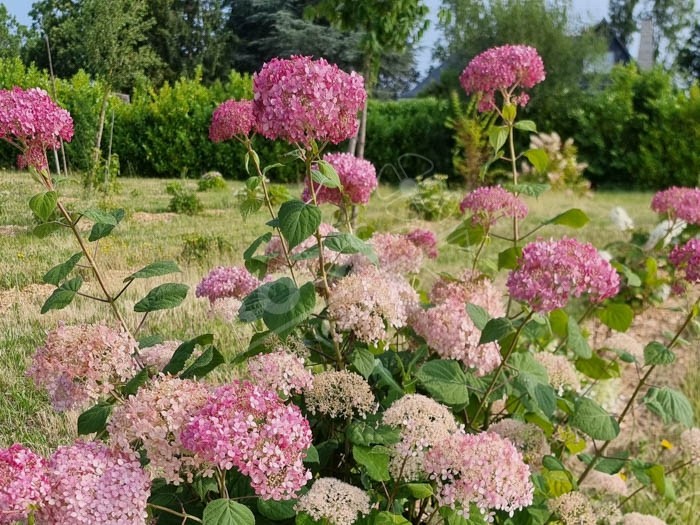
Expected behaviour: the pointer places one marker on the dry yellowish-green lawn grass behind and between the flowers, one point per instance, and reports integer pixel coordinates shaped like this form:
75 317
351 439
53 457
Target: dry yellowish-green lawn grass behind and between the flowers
150 233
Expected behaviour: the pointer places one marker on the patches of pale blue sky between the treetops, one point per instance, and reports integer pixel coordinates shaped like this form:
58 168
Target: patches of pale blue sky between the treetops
586 10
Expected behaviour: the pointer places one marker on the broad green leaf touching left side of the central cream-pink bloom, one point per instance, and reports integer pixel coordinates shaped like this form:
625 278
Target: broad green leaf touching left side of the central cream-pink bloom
286 306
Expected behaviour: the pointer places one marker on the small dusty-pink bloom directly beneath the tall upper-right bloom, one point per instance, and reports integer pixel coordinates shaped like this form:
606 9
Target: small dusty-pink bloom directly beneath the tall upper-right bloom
489 204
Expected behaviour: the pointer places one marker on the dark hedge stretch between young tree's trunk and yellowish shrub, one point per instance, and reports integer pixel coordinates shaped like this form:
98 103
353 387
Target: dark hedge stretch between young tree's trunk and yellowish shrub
409 139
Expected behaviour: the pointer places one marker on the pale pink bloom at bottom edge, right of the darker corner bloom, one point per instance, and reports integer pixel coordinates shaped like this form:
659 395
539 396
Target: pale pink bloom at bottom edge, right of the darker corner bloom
91 483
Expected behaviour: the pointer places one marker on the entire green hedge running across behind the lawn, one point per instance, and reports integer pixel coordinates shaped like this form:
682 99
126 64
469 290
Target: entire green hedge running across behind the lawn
635 130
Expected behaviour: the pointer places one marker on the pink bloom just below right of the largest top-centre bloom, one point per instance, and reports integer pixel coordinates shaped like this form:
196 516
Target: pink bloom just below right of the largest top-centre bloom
358 179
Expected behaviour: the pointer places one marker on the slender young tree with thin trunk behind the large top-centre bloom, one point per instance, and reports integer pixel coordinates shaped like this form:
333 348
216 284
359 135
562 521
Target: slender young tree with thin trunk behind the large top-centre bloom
385 27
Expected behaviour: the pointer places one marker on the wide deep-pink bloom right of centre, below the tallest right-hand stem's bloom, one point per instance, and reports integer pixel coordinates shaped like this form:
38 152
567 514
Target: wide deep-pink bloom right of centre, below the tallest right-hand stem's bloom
549 273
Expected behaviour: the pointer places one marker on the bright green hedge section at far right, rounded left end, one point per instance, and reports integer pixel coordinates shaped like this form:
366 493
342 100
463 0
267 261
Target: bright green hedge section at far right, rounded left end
639 131
